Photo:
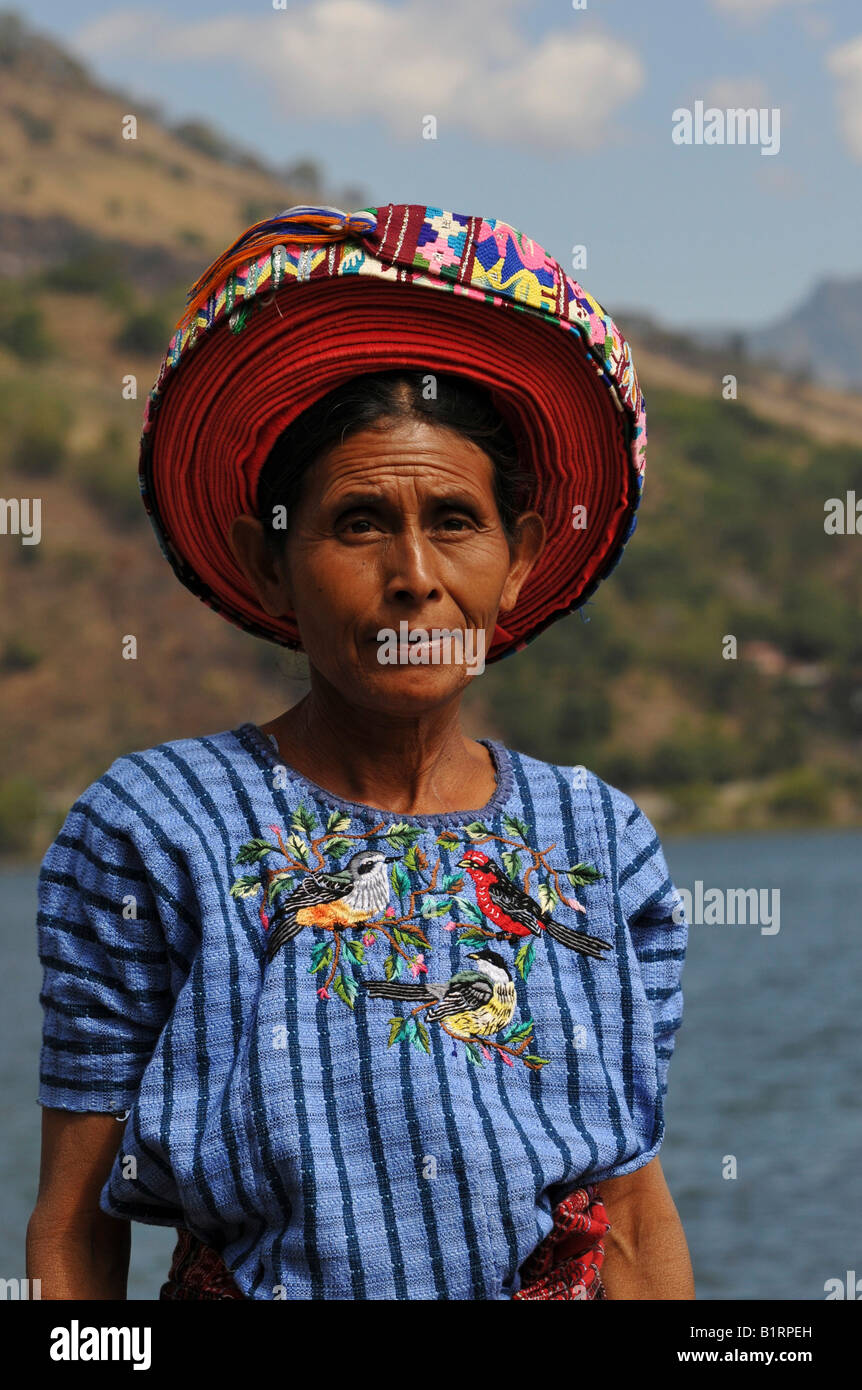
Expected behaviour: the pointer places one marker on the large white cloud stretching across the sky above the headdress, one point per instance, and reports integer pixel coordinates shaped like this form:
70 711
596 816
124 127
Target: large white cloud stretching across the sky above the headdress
465 62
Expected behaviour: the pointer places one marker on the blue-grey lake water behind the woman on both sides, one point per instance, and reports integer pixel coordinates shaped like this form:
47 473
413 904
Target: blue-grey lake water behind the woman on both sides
767 1070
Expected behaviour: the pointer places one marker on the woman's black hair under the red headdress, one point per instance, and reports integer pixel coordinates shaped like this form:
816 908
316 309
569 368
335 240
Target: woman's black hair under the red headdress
372 400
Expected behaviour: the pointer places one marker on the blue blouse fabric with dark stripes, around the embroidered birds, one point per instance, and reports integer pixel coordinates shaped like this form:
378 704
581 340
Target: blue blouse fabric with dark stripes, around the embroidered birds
311 1134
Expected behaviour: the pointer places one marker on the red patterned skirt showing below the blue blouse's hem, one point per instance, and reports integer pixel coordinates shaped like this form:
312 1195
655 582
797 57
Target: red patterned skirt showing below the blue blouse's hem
565 1266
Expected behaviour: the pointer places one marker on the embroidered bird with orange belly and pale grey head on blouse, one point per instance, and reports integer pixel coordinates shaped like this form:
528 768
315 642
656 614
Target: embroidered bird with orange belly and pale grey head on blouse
333 899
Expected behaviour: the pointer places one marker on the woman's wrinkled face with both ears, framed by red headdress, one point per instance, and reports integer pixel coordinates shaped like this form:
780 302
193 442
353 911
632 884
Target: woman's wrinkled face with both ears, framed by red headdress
396 525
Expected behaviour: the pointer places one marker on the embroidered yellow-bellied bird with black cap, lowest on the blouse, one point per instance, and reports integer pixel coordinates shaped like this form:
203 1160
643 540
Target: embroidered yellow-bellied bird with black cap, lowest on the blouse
473 1003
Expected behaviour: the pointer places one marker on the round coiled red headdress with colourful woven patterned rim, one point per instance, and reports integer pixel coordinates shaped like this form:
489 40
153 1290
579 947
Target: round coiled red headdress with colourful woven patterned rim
314 297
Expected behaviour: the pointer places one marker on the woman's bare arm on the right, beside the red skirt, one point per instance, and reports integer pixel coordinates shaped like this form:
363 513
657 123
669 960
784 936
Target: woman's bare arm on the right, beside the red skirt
646 1250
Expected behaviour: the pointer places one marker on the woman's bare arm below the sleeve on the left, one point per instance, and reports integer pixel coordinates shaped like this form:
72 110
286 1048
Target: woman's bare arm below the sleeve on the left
72 1245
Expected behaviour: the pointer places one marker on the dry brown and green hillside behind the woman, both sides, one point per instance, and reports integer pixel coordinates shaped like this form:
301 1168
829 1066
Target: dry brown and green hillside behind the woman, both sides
731 534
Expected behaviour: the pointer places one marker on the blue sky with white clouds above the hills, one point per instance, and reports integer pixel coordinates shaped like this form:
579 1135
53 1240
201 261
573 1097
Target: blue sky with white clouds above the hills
555 119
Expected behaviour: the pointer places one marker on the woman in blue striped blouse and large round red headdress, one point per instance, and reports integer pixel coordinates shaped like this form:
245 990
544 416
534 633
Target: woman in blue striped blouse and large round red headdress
384 1013
